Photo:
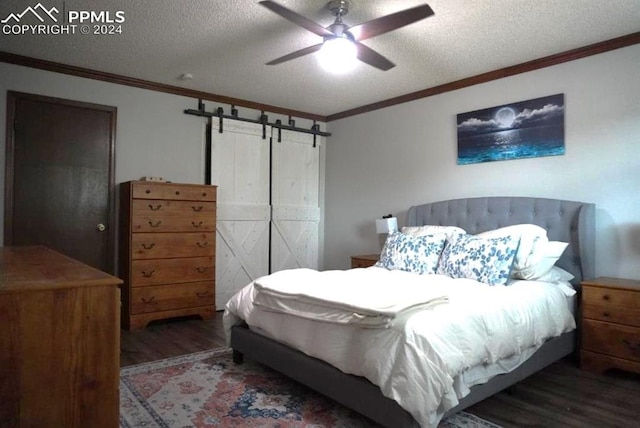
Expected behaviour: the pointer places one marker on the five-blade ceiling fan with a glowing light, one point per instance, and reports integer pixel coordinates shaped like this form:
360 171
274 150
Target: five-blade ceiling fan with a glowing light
349 38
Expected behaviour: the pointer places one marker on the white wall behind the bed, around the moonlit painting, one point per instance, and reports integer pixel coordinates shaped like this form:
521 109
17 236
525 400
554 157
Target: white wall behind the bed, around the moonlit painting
387 160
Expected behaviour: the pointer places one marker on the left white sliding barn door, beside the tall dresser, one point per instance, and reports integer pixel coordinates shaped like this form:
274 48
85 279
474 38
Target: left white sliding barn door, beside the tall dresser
240 169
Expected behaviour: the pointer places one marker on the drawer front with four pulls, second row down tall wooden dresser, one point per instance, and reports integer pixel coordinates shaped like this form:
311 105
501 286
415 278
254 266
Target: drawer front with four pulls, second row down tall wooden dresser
173 216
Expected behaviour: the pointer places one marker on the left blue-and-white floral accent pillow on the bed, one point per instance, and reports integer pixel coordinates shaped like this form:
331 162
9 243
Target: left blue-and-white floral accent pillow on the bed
418 254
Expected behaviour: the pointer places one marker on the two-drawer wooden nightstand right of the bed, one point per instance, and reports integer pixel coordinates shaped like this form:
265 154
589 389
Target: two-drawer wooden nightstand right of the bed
610 324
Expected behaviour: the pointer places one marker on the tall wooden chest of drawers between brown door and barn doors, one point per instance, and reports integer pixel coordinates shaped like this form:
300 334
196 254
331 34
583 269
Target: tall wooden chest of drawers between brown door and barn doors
167 251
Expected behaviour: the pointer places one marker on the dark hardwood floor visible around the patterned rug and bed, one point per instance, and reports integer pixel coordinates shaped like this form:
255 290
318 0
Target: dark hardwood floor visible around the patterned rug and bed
561 395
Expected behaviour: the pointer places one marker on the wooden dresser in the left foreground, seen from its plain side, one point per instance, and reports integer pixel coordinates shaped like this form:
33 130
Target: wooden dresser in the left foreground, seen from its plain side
59 341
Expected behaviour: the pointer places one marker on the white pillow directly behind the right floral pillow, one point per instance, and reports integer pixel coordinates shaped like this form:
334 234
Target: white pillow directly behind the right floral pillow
532 238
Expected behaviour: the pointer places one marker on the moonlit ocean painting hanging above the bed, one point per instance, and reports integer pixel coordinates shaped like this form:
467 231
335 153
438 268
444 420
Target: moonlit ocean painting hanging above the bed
525 129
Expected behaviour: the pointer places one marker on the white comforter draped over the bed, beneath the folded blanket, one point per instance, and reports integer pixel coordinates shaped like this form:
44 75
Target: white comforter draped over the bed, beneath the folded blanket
419 360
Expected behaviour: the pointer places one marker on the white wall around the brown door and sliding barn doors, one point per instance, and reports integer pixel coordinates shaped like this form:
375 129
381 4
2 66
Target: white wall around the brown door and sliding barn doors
154 137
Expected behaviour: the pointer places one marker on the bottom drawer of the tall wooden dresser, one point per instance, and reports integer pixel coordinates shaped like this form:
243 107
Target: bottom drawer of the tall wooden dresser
173 296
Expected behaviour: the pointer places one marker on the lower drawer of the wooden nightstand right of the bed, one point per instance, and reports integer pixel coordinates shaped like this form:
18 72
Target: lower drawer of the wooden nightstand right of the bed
612 339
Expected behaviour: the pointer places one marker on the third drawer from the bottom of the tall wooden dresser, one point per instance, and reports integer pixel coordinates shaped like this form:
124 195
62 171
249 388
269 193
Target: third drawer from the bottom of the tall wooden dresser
172 245
